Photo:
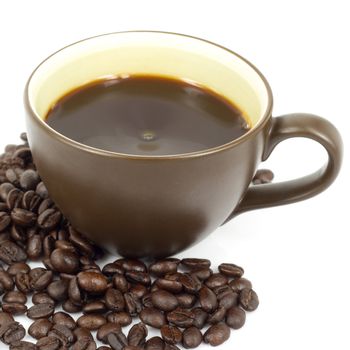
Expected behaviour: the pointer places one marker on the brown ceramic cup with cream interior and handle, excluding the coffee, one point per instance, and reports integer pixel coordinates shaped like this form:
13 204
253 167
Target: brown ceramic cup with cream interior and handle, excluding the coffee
159 205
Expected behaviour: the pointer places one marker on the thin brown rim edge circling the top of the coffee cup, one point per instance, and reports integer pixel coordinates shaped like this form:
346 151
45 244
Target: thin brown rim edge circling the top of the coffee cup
208 151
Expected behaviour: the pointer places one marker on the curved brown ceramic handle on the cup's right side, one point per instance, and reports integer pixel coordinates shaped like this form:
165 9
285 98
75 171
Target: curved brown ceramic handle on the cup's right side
285 127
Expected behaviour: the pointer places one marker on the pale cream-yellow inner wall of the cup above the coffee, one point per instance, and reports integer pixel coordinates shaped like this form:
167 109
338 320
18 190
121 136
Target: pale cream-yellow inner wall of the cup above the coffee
166 54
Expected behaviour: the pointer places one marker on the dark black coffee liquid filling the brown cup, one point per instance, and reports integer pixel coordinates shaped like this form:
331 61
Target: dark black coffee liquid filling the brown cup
147 115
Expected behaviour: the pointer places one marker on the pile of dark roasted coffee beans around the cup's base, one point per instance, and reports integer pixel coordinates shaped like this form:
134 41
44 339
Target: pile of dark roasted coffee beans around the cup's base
185 299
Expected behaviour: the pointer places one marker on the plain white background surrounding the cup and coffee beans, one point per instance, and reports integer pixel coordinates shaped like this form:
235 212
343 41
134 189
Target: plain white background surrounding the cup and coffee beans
298 255
